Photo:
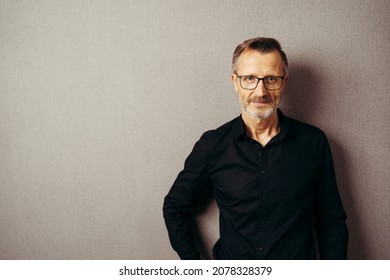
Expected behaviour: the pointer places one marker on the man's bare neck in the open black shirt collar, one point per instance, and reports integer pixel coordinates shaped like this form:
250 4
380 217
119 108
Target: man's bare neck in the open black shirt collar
261 130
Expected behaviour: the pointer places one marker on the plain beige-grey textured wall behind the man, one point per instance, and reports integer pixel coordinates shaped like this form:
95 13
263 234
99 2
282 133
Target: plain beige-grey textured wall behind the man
101 101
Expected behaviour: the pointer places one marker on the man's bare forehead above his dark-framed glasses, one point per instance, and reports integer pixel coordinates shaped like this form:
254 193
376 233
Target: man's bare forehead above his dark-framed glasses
256 63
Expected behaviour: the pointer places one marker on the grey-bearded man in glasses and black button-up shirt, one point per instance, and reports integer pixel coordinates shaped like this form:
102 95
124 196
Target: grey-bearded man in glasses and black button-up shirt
272 176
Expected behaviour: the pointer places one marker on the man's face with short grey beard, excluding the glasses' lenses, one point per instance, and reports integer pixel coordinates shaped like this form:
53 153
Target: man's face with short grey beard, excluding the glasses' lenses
259 103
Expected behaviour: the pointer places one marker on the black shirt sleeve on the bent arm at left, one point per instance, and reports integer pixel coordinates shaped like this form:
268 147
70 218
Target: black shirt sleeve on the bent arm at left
181 200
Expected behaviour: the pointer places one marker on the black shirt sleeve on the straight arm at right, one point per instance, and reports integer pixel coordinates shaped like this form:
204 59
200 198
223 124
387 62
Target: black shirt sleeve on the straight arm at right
332 230
